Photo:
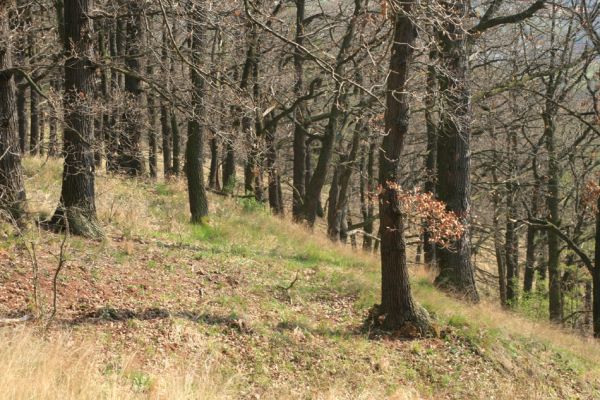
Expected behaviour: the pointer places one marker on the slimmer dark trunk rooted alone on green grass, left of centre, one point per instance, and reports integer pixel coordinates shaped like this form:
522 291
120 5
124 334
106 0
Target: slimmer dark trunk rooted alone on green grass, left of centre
194 153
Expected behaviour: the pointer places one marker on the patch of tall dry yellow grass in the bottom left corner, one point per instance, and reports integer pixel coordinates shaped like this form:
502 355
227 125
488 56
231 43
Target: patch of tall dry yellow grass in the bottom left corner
62 368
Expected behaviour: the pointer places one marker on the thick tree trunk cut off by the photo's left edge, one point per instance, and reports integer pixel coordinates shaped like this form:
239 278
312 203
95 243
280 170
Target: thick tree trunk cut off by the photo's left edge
12 188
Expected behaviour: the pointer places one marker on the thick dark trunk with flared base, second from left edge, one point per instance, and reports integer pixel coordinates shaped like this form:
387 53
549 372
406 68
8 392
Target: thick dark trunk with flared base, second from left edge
77 200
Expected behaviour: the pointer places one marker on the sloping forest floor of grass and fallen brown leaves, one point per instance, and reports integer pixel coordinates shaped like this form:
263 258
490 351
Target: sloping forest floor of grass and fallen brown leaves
246 306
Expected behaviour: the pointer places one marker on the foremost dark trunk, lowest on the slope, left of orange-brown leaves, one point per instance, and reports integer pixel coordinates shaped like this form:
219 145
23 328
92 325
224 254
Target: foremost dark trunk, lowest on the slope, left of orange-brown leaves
397 306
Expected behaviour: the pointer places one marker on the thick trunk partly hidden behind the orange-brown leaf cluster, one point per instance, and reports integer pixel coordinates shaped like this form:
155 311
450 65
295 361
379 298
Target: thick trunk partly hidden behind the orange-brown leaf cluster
454 155
